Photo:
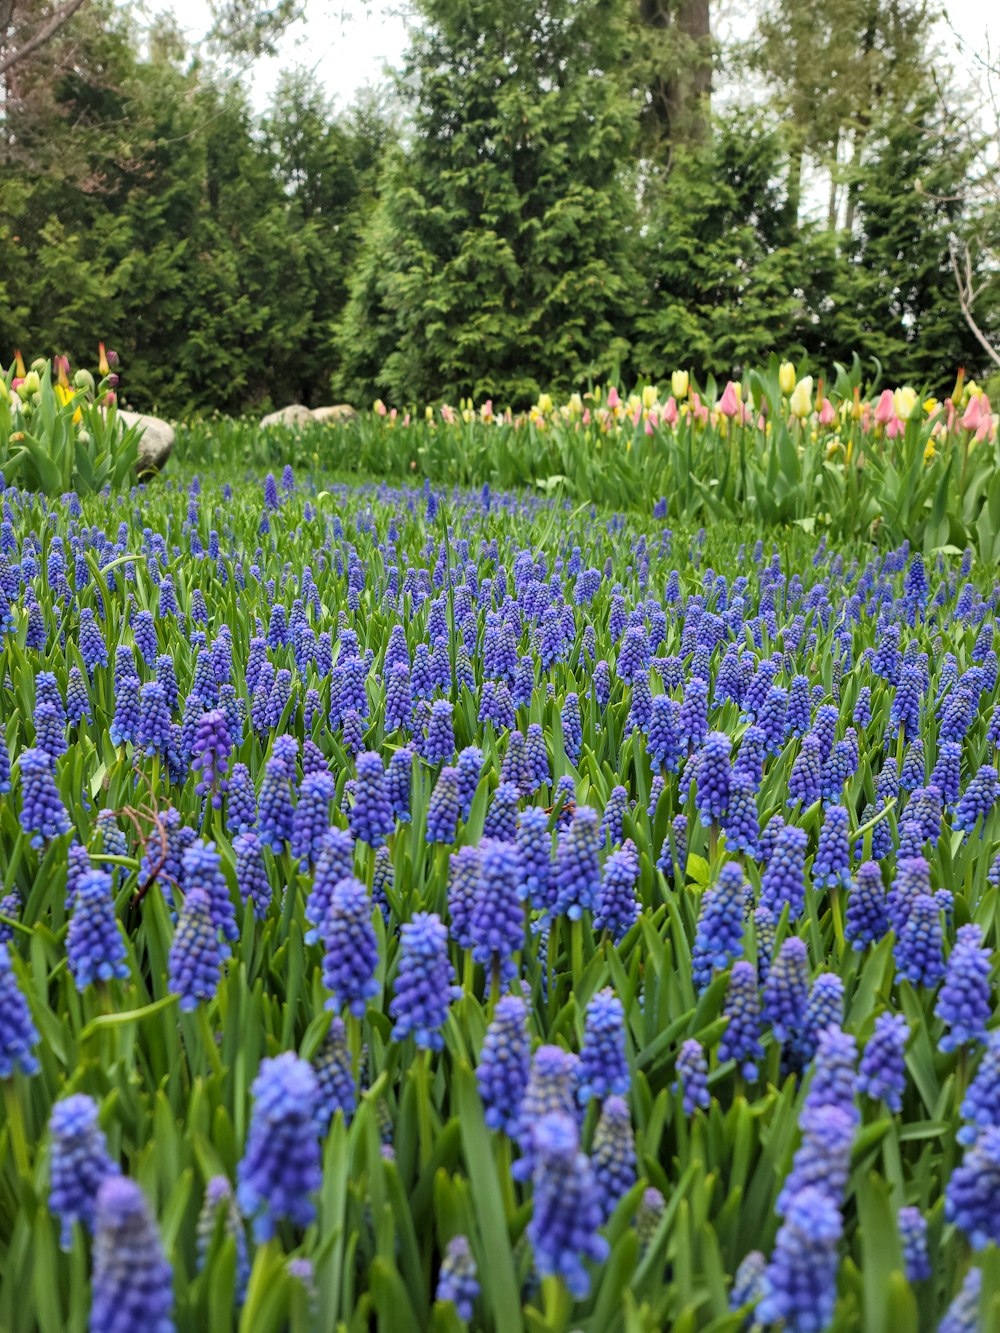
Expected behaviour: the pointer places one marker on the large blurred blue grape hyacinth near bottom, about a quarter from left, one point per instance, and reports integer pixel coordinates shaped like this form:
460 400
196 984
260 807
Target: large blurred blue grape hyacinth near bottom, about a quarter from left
281 1168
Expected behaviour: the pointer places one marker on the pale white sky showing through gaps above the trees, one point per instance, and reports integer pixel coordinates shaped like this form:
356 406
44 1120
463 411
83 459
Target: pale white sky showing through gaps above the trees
349 43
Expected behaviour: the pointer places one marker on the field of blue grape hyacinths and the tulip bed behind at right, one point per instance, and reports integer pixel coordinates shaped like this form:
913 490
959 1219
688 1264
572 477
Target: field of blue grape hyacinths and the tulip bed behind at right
433 906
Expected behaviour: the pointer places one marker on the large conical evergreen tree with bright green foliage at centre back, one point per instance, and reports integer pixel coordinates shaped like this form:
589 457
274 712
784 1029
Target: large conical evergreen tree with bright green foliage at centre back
501 257
